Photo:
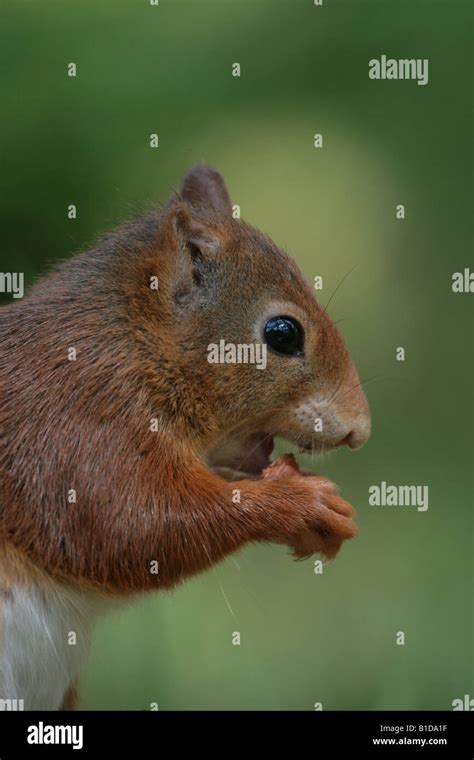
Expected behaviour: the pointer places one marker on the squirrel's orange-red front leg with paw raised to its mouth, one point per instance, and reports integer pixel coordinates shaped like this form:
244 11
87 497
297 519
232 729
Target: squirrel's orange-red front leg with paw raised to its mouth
204 518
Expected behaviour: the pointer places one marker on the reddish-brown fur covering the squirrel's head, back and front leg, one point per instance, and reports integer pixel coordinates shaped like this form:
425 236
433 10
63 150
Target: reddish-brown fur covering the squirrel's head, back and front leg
141 354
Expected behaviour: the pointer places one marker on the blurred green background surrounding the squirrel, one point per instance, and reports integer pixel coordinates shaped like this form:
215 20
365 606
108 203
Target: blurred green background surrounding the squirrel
305 638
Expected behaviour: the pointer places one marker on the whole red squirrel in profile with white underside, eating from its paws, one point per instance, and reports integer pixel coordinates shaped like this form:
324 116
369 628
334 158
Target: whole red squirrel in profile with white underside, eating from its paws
128 460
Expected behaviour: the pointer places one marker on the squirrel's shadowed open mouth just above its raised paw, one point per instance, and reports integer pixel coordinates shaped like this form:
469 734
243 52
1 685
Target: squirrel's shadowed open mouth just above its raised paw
236 457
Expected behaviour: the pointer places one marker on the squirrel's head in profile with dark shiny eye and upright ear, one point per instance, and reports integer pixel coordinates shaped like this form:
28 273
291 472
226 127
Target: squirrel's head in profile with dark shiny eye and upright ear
248 351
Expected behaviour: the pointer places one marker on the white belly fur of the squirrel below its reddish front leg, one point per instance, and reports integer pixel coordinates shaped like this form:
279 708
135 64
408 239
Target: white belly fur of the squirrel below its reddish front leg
44 641
